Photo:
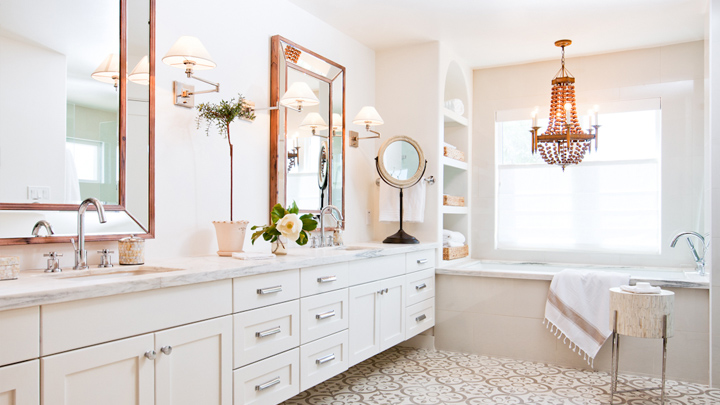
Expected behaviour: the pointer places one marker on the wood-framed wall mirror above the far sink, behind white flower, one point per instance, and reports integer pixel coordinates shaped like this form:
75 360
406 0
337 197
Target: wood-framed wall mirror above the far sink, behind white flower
307 148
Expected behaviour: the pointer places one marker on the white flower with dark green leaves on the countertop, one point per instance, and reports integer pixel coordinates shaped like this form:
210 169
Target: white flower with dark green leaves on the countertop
287 225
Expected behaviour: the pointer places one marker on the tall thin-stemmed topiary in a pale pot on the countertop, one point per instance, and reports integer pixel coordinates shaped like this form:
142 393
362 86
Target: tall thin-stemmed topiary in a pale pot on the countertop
230 234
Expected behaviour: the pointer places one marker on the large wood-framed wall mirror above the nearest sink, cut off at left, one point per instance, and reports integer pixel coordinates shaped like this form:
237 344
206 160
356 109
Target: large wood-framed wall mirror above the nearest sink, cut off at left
76 117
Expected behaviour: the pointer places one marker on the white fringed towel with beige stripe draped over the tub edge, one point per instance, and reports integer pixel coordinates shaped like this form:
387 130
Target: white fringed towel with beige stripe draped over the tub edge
578 308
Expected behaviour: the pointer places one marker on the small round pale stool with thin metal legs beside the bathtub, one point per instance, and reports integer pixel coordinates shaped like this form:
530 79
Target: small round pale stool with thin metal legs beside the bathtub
643 316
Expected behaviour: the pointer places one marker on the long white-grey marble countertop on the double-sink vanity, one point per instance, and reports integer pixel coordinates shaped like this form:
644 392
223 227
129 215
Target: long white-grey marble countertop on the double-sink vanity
35 287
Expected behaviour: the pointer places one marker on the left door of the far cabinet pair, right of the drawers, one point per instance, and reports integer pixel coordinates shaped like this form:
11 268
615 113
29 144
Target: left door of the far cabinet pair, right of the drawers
364 322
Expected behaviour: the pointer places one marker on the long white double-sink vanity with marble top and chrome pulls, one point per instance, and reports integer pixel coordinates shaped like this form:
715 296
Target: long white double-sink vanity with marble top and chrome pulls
209 329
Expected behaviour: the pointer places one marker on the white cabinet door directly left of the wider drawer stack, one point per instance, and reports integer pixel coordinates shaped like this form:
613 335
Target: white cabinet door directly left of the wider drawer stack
194 363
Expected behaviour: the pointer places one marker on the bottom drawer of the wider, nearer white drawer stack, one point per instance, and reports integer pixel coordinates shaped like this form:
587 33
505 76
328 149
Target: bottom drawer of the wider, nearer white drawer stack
270 381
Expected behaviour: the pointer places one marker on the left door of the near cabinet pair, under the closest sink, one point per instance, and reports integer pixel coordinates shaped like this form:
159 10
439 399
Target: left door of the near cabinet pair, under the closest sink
108 374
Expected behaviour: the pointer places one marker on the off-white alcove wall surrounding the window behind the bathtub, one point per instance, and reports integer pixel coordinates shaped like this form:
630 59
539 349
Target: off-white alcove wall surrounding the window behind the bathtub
672 73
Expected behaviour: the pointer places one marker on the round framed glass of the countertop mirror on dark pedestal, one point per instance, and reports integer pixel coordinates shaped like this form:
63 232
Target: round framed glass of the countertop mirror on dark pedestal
401 161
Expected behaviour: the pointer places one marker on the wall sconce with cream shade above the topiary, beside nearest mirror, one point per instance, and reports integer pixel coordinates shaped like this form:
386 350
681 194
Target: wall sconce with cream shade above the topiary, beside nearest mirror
188 53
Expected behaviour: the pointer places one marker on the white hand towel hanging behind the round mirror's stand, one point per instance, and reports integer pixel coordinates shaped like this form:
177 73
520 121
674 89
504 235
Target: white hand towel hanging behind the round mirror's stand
413 203
